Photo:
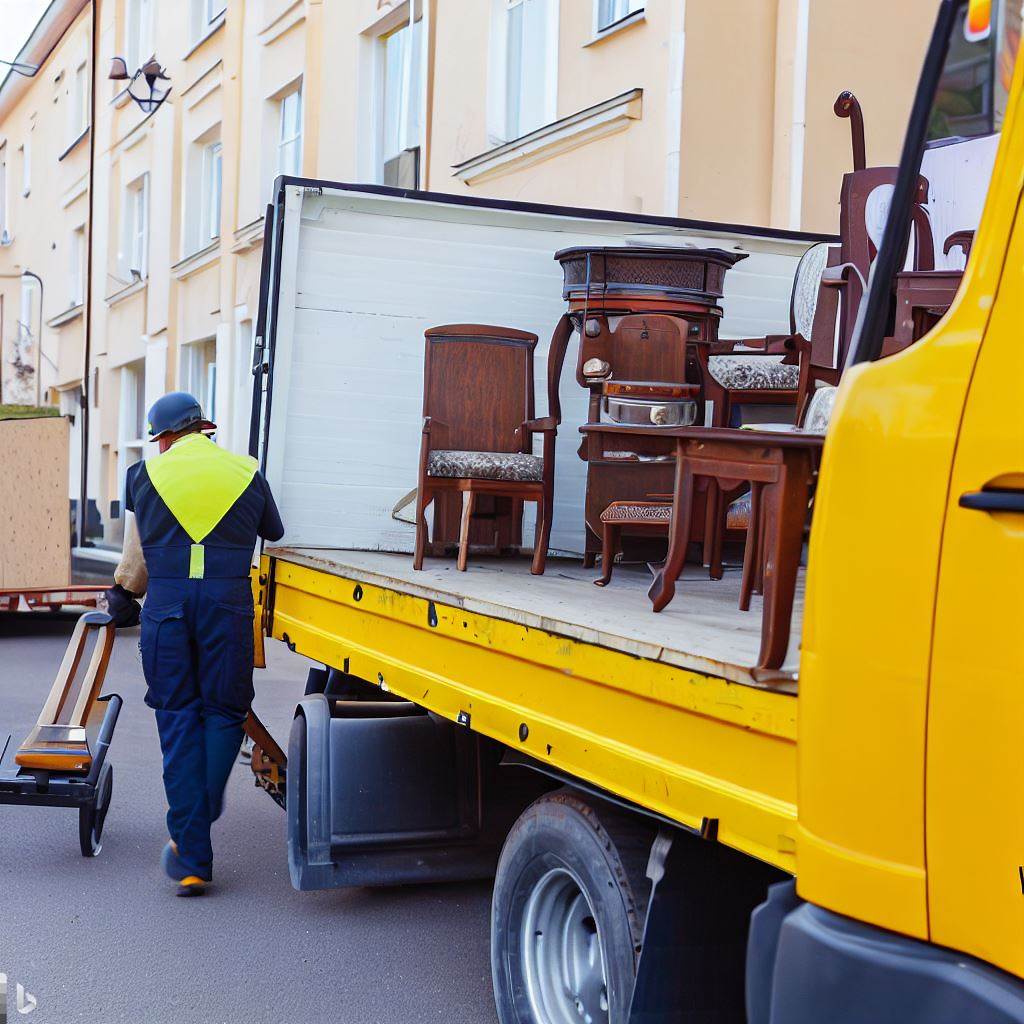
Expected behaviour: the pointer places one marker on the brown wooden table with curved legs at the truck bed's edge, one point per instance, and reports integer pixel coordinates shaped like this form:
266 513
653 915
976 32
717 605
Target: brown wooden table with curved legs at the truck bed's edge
780 467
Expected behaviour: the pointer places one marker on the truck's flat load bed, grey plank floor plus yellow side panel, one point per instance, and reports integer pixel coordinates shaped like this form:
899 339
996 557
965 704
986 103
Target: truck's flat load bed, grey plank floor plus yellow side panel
660 710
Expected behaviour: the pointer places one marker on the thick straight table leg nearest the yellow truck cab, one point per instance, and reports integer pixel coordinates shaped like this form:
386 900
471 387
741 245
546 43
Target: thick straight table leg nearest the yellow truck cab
785 509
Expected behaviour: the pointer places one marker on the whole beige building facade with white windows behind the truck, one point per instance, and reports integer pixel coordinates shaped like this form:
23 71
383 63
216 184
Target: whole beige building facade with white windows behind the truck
714 110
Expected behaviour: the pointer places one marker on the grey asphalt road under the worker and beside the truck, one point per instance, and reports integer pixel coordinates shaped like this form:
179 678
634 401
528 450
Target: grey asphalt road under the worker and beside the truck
106 940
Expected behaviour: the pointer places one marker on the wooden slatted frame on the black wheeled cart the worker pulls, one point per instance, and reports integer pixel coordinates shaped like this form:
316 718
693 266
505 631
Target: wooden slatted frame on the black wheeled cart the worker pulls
59 742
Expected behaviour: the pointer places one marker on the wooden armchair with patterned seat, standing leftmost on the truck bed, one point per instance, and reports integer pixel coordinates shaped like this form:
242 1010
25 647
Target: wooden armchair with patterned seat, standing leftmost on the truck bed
479 429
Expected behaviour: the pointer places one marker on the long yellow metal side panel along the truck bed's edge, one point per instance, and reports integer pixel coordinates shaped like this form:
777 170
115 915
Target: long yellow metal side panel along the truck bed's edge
699 750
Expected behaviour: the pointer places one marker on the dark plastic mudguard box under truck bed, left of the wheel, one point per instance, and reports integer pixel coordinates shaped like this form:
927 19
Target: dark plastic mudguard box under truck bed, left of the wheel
381 794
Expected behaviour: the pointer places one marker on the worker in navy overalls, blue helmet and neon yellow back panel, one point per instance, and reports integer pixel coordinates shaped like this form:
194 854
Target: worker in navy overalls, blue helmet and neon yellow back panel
197 513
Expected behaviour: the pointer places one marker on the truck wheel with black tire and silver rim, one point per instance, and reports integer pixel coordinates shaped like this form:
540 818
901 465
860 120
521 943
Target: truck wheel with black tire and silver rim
569 910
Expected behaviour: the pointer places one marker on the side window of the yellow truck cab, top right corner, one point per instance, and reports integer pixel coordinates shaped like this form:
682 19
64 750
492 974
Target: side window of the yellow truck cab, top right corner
972 97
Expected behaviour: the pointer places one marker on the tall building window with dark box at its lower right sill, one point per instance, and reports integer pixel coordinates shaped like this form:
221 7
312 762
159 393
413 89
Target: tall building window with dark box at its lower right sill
402 106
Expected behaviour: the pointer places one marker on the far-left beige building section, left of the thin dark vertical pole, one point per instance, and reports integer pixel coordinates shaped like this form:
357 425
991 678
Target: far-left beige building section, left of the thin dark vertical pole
45 214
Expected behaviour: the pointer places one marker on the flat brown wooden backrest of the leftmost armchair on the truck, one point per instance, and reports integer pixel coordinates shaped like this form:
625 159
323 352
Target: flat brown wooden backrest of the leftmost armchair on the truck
479 382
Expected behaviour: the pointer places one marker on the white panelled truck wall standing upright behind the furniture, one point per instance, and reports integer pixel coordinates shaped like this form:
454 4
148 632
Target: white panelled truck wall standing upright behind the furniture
363 277
